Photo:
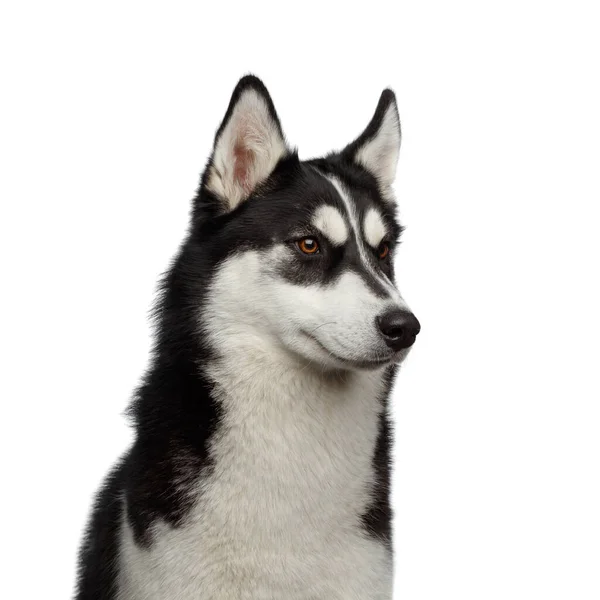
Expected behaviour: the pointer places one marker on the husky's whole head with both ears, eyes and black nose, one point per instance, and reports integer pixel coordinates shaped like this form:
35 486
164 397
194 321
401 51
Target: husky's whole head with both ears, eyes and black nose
305 249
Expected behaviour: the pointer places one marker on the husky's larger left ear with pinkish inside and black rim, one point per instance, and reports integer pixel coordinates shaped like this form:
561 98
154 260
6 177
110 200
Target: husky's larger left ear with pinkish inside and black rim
248 145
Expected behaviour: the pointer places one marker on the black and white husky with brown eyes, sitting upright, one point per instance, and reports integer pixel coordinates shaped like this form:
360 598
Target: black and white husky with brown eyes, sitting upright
260 468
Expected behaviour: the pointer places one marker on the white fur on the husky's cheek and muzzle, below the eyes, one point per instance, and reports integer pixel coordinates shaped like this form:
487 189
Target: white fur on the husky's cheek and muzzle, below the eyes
322 325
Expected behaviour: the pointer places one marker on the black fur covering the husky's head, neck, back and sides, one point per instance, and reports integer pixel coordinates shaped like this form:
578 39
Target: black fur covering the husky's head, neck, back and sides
173 412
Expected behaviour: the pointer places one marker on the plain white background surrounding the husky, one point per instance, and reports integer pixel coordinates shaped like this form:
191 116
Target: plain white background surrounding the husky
108 112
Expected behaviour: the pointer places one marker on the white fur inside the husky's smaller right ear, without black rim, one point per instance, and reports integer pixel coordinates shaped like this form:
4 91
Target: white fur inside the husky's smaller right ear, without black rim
380 154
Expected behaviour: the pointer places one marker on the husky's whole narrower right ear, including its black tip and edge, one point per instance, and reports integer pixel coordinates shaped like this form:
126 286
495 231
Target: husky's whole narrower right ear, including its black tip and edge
378 147
